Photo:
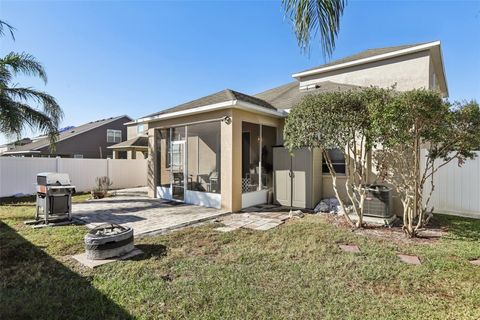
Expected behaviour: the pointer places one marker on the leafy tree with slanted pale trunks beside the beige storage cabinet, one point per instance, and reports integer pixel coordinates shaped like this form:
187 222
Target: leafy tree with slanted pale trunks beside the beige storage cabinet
336 120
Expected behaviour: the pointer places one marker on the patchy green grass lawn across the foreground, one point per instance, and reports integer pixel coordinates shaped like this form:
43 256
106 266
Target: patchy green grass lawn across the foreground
294 271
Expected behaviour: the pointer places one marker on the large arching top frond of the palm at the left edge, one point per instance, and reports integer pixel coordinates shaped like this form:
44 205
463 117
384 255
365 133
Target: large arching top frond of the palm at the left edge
23 63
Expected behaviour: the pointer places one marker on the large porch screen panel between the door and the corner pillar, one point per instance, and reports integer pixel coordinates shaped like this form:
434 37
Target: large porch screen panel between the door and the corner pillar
203 157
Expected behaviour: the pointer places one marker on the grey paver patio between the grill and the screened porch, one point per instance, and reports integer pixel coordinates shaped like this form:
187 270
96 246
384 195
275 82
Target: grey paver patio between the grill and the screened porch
133 208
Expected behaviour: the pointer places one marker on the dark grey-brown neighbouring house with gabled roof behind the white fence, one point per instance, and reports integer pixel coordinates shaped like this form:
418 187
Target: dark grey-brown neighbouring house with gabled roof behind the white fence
90 140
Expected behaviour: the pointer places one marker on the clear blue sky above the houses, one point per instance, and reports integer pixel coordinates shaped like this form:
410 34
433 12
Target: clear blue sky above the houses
109 58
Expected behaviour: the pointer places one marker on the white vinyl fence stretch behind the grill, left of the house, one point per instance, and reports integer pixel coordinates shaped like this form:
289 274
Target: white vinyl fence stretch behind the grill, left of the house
18 175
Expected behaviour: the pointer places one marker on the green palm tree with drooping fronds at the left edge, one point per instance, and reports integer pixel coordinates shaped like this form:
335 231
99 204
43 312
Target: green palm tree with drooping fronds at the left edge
16 110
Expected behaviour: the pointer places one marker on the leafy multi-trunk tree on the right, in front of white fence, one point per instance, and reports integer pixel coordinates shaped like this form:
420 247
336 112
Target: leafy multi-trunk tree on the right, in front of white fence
409 122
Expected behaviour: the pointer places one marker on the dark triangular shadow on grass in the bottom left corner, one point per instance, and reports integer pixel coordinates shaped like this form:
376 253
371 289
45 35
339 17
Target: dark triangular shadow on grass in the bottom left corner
36 286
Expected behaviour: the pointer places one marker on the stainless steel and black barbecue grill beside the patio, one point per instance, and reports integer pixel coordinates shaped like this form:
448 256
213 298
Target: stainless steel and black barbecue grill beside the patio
54 196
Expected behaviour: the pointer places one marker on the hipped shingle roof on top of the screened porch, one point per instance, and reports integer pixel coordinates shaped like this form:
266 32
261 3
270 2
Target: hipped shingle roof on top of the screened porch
221 96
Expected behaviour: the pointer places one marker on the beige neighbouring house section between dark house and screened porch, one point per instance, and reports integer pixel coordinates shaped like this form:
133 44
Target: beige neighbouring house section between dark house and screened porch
136 145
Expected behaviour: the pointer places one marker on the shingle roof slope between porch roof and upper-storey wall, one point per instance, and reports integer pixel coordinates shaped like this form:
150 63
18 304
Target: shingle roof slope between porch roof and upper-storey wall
287 95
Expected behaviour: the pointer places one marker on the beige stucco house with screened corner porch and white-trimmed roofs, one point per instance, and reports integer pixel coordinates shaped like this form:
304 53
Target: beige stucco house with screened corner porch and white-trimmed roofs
225 149
